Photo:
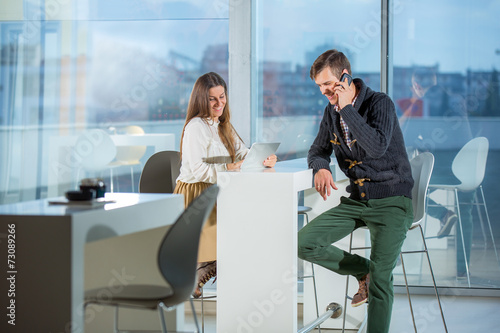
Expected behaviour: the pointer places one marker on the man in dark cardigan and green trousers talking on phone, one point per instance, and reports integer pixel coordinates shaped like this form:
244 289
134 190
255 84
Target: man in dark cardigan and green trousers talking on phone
361 127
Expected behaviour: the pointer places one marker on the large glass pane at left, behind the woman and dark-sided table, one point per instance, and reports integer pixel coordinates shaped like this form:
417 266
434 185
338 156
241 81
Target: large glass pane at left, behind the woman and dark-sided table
70 66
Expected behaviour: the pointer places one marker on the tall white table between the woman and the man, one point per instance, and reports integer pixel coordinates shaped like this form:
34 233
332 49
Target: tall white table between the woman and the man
257 249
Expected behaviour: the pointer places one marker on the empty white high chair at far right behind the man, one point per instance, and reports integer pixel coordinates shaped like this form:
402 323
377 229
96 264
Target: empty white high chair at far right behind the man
469 166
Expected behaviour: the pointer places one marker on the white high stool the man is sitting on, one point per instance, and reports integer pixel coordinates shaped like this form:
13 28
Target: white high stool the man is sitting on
421 169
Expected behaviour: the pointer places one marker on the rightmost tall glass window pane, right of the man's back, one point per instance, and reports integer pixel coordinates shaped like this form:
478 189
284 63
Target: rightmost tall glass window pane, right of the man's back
446 90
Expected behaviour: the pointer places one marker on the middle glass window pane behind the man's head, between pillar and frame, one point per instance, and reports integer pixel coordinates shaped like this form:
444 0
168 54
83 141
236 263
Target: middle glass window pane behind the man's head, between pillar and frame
290 36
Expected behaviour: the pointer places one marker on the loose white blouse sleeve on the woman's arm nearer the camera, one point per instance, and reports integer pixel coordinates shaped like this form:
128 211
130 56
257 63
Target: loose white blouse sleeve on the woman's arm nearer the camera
195 145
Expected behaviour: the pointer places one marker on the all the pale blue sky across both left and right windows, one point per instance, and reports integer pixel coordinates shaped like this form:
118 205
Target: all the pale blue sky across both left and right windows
456 34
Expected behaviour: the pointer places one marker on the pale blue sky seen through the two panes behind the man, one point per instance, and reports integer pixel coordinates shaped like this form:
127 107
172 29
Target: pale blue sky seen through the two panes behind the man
457 34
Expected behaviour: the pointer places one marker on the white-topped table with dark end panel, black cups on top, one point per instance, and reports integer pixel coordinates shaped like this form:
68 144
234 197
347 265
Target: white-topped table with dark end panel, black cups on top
48 266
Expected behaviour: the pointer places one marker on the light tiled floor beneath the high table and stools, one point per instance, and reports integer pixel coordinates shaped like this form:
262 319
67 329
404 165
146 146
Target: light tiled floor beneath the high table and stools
462 314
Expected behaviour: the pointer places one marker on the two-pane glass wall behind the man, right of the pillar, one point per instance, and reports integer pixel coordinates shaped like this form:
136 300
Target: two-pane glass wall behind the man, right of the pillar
443 80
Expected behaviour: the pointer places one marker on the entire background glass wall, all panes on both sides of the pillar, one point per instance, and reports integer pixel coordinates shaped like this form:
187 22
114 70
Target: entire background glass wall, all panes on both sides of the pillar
71 66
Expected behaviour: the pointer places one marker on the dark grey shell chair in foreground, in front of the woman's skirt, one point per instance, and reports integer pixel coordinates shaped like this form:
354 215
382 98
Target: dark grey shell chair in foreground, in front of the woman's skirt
176 262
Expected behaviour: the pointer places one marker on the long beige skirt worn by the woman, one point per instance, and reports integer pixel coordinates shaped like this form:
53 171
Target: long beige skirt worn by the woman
208 241
